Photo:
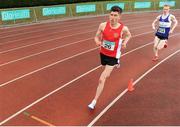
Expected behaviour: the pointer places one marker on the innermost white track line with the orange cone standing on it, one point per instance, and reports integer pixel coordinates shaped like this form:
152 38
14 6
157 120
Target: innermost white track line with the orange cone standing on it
134 83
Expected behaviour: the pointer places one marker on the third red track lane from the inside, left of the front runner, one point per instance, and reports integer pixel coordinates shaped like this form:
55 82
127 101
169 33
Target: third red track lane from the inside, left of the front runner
9 72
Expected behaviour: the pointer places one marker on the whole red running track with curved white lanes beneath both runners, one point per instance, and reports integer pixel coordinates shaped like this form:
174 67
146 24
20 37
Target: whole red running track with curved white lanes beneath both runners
41 64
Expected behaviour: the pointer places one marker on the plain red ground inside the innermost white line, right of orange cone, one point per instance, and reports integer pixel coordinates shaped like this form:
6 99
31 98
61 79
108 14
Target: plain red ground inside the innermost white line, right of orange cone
155 101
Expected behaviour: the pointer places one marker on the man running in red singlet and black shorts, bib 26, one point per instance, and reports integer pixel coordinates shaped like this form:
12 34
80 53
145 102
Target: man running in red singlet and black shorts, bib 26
110 37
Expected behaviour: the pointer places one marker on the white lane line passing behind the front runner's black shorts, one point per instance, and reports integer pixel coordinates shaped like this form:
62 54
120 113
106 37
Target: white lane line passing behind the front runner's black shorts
59 88
